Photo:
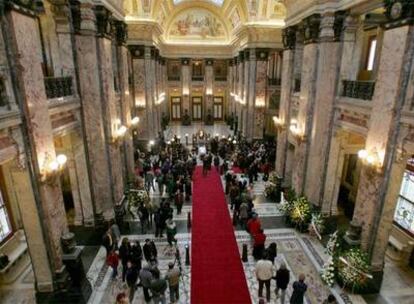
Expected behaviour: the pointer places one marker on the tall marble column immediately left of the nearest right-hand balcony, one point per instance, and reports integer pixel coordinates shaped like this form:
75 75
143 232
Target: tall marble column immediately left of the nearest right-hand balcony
326 84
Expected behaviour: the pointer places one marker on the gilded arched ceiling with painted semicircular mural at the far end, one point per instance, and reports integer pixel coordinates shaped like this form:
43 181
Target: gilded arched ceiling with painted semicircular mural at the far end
204 21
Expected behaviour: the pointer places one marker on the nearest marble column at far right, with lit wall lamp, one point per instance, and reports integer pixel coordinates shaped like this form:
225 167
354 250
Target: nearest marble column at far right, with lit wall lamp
378 183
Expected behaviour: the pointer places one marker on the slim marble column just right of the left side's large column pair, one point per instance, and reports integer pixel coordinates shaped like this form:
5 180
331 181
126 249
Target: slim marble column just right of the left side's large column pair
126 100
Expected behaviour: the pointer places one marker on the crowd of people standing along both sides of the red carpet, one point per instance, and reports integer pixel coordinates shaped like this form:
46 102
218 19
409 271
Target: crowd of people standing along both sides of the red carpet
170 166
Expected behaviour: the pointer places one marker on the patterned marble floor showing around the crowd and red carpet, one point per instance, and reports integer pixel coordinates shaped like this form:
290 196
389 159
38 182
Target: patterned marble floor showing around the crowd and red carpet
301 253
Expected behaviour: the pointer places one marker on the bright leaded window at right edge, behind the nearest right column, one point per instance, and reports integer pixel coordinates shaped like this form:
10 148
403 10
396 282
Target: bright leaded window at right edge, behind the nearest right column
404 213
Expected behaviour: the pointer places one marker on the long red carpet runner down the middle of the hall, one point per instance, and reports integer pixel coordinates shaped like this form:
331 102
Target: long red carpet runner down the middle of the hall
217 274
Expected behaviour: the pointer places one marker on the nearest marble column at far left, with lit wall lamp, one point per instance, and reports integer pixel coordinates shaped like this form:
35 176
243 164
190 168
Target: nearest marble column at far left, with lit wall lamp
34 106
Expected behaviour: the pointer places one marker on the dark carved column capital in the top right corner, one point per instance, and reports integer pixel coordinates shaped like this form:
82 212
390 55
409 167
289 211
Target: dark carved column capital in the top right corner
399 13
